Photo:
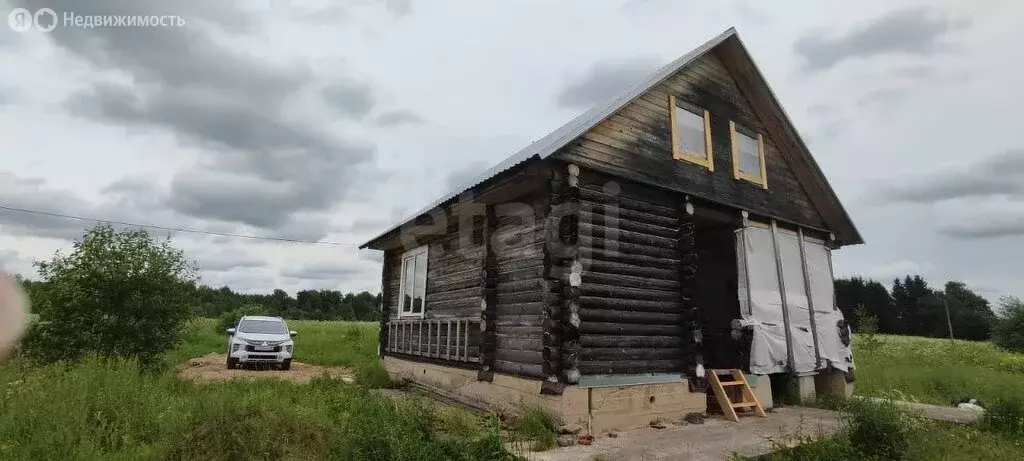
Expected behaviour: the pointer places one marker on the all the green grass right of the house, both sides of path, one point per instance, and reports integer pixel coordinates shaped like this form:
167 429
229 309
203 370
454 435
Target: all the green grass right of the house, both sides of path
932 371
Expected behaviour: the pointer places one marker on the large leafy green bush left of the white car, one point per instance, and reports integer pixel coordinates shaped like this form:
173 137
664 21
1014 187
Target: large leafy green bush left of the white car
116 295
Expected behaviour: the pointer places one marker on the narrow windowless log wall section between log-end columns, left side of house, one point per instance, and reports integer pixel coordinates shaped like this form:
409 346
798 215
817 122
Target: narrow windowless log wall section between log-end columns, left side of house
519 249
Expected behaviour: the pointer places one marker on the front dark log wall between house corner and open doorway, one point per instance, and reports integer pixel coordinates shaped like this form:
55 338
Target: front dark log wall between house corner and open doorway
636 317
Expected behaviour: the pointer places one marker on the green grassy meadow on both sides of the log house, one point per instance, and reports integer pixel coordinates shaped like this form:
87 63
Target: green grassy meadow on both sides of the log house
113 410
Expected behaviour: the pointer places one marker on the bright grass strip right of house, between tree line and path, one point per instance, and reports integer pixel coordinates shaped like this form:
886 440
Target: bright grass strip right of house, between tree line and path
936 371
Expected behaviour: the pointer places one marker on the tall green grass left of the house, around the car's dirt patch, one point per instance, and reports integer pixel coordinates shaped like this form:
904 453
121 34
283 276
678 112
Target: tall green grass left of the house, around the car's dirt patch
112 410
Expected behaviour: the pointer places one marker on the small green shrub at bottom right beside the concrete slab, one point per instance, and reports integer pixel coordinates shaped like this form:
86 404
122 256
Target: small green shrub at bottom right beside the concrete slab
880 431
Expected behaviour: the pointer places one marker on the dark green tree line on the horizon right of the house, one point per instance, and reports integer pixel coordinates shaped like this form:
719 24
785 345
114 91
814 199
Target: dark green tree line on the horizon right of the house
914 308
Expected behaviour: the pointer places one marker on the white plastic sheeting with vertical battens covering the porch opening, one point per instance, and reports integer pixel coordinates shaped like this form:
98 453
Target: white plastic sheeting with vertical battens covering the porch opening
761 303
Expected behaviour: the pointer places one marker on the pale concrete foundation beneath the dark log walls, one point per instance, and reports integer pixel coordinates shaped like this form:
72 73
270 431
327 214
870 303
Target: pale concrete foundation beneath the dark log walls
596 409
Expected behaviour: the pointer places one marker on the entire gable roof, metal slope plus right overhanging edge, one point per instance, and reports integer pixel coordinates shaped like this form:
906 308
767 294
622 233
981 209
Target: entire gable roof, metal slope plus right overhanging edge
845 231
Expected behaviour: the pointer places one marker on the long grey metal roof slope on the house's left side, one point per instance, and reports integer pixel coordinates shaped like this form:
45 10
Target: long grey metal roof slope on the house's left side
559 139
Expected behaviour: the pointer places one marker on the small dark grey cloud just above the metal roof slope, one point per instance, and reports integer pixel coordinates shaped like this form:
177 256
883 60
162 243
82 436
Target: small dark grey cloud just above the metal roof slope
605 80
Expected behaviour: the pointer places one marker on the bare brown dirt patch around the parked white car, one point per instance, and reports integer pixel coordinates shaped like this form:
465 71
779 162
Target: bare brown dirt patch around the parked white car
214 367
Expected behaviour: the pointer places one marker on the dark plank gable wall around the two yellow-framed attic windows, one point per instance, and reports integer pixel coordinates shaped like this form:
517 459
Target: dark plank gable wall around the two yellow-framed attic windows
636 144
